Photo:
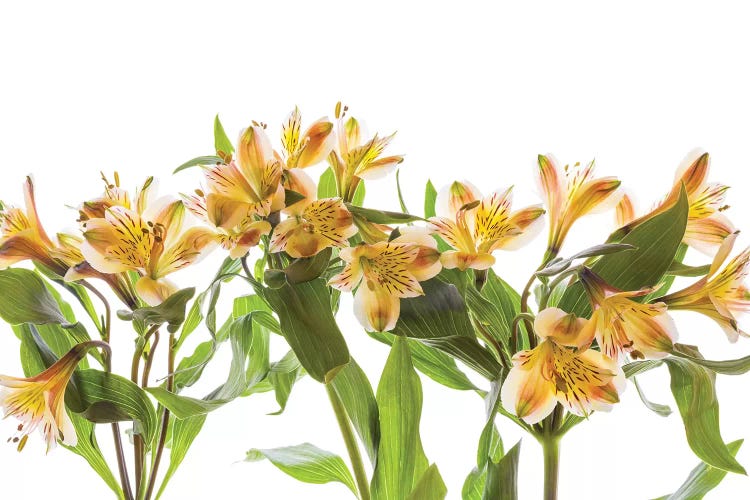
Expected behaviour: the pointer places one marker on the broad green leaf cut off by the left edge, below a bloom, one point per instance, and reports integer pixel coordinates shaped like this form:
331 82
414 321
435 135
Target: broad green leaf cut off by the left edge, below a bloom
26 299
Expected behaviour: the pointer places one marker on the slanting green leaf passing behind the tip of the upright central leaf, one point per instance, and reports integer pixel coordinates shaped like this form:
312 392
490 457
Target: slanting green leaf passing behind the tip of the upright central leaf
435 364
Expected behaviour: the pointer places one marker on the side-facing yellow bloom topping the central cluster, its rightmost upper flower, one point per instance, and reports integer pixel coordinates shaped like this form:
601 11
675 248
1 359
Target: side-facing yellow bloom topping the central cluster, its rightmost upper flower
356 158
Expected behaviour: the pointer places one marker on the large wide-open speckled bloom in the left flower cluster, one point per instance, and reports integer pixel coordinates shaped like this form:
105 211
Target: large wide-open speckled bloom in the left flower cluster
154 245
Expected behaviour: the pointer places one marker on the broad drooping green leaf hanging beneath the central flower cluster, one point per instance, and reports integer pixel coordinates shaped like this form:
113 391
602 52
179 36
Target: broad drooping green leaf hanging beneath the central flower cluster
309 327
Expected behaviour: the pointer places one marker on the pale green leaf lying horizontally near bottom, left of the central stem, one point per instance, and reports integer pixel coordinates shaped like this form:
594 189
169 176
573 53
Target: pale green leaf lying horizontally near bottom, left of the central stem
307 463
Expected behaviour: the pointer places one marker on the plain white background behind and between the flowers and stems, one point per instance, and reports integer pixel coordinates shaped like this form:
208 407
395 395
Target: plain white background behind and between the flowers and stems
475 92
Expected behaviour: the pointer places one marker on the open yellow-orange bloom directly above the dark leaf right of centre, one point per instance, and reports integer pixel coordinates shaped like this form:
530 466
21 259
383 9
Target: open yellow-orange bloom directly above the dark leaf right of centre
476 228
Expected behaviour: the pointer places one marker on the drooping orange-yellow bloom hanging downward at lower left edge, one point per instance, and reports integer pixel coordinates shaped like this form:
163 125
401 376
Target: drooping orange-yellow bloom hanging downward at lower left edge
39 401
